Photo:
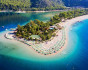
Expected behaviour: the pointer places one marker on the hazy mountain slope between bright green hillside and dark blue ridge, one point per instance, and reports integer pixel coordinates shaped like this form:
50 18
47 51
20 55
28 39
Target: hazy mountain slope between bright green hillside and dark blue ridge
46 3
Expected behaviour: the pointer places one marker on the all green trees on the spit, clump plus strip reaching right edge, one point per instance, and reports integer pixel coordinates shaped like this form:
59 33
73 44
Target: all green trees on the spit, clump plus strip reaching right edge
42 29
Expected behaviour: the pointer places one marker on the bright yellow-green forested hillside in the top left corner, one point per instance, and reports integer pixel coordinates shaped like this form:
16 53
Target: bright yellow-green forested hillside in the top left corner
14 4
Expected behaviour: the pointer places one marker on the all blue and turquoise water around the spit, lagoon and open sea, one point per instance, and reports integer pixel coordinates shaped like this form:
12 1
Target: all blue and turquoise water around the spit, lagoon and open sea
73 57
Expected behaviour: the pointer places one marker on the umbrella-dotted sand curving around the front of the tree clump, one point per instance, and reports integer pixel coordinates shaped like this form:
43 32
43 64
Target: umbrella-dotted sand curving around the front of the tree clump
44 48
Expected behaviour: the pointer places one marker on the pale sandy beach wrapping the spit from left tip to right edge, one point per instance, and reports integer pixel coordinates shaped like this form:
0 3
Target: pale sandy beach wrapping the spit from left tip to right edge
67 24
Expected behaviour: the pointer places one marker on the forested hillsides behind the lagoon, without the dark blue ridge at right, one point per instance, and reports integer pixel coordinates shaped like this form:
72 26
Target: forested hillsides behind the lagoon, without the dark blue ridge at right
31 5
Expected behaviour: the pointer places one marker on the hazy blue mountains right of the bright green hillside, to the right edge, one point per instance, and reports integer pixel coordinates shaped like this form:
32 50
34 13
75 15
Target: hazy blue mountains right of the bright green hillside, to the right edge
69 3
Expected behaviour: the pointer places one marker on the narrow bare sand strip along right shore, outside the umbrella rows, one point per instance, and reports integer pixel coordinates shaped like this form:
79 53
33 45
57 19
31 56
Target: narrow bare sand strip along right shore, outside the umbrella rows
68 25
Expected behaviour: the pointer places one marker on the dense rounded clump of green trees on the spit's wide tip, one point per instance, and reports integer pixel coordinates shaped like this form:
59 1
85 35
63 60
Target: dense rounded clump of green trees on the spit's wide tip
35 27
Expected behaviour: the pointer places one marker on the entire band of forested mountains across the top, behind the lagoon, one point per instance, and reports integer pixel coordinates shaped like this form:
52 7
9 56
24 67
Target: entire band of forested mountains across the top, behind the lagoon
46 4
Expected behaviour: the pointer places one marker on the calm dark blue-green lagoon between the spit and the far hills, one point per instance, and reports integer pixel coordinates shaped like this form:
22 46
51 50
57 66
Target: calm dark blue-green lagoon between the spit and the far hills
11 19
